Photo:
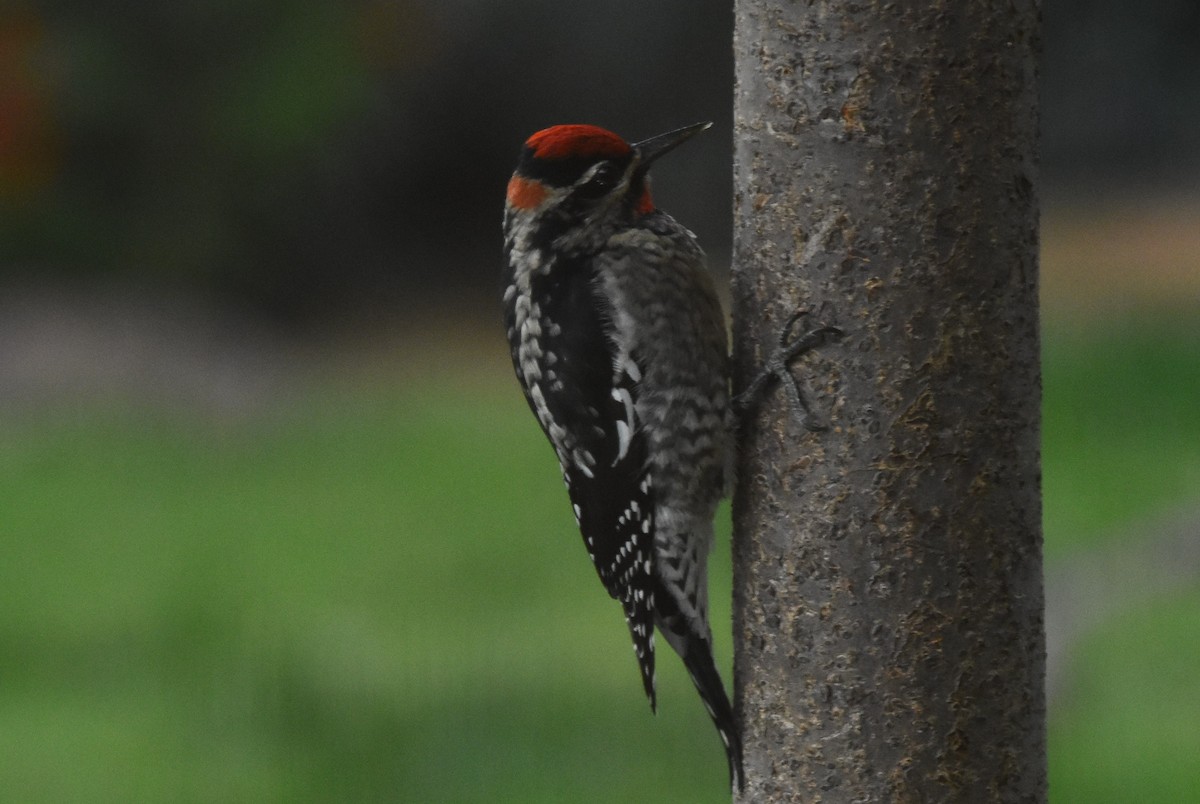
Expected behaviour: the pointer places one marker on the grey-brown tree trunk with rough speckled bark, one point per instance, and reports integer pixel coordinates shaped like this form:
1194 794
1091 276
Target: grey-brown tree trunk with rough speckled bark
889 626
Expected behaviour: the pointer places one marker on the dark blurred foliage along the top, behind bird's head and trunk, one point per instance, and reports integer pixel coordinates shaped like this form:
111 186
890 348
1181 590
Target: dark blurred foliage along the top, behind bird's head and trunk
299 154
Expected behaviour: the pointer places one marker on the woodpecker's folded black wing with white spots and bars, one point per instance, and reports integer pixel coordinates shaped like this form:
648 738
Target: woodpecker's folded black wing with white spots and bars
583 388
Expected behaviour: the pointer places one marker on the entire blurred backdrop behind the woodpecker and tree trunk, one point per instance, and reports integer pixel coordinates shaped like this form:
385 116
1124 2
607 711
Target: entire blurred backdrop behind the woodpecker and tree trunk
269 495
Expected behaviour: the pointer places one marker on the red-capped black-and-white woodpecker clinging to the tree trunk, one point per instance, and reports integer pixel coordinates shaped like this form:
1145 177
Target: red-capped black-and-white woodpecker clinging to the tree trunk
619 341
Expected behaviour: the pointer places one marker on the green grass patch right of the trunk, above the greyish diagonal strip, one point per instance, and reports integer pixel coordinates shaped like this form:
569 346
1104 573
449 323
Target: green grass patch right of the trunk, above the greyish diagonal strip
1121 425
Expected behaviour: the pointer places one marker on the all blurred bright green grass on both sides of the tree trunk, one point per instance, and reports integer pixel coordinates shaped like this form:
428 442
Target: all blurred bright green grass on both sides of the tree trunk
379 595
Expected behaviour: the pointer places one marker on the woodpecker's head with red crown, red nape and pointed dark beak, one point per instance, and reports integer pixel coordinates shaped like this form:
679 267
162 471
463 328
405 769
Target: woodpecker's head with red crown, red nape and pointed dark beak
577 179
